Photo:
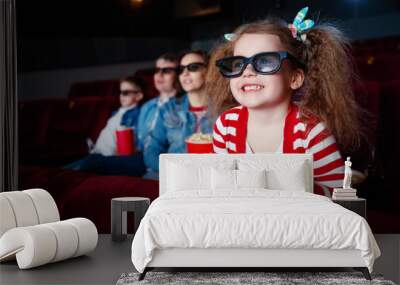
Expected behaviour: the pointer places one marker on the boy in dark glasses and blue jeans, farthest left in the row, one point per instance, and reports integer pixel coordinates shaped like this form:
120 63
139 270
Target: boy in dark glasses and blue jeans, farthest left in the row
104 158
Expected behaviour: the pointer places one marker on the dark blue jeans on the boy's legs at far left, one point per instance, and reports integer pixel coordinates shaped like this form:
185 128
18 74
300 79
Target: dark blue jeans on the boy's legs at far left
132 165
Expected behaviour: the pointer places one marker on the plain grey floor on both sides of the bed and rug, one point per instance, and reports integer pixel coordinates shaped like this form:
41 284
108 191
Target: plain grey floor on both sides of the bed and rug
110 260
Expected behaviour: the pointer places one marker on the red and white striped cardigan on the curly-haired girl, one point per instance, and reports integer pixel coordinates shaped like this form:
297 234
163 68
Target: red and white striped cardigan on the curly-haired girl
230 132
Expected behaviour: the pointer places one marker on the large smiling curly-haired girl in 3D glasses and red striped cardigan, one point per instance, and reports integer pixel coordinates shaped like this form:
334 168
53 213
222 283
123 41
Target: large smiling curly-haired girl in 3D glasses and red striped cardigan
265 65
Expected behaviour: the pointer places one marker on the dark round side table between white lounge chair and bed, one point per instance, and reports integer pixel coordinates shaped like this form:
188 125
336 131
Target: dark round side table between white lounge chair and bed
119 208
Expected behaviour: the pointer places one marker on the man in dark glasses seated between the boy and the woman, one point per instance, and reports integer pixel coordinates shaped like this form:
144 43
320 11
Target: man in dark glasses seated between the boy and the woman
165 81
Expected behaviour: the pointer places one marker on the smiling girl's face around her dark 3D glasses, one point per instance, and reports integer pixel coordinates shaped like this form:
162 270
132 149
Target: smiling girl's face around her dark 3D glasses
255 90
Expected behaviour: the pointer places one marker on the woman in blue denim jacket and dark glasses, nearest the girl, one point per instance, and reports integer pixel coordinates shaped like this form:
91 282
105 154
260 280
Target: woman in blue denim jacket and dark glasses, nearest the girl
182 116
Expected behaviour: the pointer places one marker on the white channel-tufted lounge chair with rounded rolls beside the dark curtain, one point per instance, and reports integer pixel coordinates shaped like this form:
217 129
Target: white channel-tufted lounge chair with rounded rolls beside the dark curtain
31 231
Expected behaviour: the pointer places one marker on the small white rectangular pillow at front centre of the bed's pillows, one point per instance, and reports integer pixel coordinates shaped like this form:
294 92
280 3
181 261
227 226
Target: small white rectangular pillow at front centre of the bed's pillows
223 179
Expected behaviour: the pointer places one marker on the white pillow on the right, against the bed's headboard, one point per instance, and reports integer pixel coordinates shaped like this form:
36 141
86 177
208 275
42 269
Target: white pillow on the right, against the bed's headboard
281 175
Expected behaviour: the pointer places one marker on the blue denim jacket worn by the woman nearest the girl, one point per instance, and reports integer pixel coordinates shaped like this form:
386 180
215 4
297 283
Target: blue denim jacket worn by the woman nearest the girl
173 126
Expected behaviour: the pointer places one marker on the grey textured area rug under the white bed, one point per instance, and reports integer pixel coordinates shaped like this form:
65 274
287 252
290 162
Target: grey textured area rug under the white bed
242 278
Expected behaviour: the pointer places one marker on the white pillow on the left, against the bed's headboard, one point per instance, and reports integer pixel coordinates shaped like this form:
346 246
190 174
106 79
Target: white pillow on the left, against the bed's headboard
187 175
